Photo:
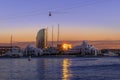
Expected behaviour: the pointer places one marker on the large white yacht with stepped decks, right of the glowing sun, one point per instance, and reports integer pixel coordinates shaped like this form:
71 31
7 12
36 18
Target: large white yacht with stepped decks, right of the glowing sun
83 49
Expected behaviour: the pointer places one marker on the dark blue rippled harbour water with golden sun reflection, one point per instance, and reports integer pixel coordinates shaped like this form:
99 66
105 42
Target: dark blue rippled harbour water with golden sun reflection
106 68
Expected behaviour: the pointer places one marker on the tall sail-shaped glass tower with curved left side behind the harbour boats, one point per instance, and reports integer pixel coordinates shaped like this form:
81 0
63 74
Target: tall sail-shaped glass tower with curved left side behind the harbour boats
41 38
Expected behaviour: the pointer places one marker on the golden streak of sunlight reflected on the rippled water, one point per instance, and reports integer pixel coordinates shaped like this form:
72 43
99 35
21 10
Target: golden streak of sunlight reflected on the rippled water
66 71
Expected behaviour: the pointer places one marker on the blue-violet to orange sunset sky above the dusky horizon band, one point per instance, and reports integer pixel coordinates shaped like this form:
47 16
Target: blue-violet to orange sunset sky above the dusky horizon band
78 19
